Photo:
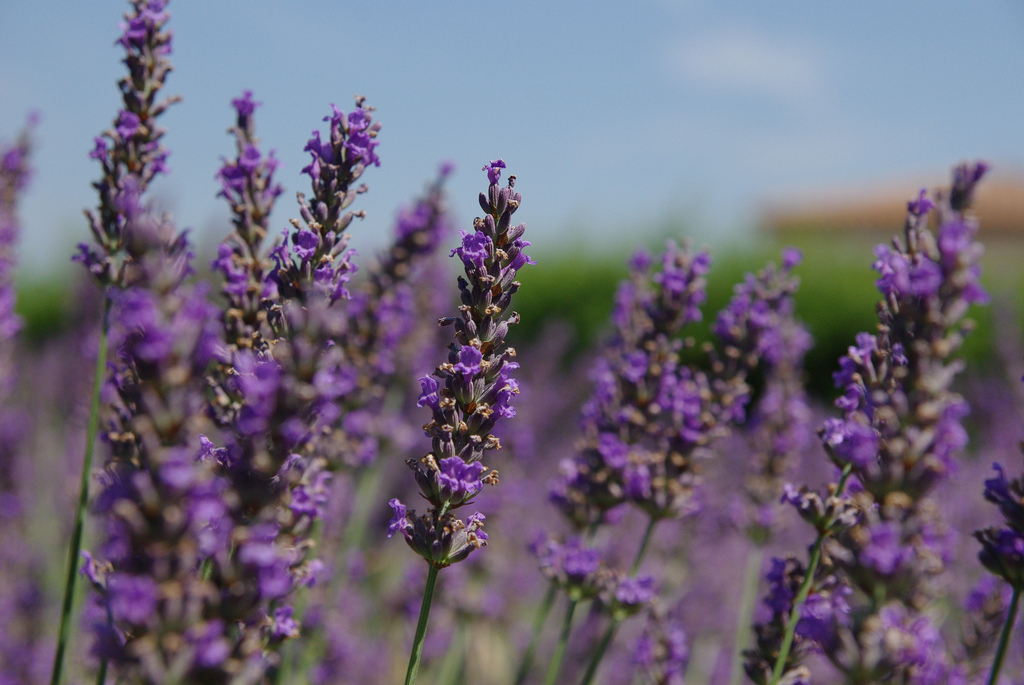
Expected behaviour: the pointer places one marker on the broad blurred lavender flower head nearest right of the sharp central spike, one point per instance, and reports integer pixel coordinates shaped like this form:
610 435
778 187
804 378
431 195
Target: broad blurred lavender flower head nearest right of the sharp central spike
647 409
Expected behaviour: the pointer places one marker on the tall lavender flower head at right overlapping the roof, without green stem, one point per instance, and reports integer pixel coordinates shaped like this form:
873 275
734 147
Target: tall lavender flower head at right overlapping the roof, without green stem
902 430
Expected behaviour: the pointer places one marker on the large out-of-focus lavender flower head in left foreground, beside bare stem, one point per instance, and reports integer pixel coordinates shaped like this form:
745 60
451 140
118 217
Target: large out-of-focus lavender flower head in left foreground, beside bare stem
166 513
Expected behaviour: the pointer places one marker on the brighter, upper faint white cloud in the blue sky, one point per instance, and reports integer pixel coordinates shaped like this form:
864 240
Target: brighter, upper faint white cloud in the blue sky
745 61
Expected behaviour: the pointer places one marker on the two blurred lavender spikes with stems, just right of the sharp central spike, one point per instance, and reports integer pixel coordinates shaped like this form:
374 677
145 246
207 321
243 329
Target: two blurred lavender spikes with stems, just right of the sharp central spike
653 418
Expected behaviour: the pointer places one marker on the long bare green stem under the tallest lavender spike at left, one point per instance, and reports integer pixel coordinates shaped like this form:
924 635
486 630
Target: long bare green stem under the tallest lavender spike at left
75 548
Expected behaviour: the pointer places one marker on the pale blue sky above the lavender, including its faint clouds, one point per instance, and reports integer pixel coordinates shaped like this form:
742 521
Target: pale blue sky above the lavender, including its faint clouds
616 117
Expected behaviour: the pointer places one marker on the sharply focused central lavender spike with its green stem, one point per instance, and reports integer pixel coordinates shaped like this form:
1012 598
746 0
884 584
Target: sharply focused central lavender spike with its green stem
467 395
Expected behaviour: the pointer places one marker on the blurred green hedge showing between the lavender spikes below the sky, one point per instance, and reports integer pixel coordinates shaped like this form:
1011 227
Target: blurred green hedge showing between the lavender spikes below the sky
837 301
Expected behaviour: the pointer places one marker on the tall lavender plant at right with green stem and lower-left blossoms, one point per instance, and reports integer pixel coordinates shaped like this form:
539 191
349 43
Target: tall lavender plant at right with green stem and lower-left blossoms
882 545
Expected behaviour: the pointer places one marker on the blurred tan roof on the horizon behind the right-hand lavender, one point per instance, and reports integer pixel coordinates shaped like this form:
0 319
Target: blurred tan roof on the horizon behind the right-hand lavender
882 208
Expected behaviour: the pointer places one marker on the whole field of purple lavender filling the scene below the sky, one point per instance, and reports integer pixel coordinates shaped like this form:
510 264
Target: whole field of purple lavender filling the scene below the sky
287 462
